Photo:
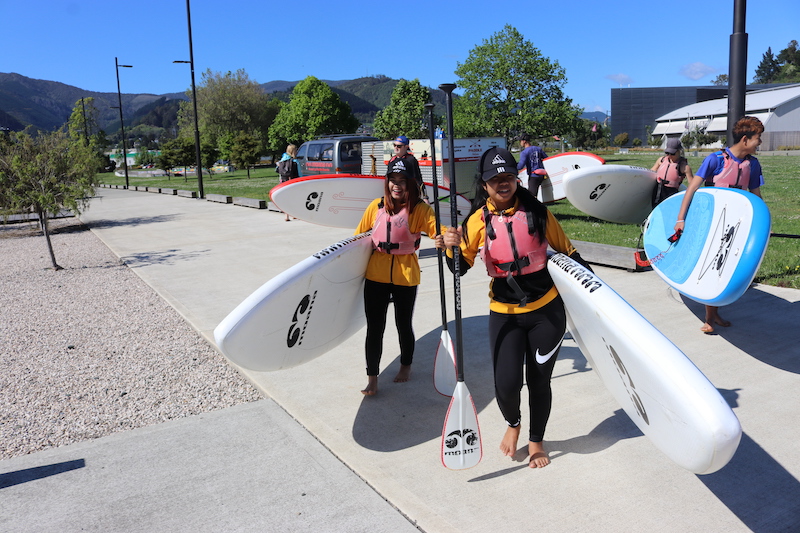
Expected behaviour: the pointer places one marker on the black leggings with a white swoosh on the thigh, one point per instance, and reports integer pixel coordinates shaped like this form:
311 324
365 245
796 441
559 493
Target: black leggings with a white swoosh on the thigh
526 338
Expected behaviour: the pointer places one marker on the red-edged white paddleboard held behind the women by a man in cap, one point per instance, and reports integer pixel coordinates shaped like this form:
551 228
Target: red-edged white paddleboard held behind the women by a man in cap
339 201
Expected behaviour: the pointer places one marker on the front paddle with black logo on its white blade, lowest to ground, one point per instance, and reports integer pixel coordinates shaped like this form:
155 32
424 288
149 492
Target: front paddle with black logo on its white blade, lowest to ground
461 436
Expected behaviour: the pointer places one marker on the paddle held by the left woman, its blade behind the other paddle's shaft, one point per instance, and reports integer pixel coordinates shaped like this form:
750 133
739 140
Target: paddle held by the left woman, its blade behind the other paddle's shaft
444 364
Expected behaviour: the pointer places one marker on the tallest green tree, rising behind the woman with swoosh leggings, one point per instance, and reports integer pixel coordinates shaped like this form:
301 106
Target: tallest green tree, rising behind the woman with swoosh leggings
511 88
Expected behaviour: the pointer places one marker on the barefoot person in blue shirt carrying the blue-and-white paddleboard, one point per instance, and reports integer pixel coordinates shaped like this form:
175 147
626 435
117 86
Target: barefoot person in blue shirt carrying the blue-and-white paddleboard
732 167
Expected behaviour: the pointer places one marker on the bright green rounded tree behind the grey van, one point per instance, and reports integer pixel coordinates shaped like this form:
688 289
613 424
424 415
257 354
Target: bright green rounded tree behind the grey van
313 110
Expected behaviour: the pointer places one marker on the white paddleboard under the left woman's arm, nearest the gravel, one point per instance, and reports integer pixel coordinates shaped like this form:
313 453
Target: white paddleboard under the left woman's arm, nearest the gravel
301 313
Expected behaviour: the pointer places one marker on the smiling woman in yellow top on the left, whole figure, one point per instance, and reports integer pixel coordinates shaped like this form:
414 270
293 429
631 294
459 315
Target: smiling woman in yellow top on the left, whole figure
397 221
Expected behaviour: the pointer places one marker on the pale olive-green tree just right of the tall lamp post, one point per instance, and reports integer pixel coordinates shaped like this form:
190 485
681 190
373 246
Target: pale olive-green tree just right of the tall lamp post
227 104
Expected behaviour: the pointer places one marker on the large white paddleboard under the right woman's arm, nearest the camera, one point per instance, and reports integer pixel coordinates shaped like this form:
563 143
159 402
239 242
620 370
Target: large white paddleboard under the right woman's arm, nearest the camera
660 389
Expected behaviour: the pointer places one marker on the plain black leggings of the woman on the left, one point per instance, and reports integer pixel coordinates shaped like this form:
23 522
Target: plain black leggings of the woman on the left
376 304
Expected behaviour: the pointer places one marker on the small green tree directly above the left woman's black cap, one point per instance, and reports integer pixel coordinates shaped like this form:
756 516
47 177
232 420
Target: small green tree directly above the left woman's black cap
405 114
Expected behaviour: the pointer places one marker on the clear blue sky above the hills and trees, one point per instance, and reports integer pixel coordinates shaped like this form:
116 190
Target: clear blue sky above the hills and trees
601 45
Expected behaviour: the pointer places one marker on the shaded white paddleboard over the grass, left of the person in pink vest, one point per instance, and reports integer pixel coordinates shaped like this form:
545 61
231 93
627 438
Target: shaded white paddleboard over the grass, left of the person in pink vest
616 193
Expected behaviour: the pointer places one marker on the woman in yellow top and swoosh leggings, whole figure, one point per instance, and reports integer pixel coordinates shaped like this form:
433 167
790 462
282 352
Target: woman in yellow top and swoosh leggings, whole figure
511 230
